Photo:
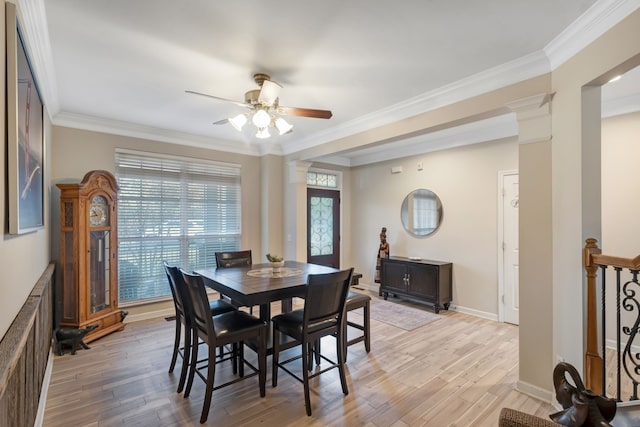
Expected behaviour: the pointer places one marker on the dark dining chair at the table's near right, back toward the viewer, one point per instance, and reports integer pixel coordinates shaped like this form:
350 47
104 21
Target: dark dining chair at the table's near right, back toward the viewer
323 315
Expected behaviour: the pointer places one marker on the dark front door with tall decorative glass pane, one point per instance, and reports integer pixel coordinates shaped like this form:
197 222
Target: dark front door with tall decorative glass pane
323 227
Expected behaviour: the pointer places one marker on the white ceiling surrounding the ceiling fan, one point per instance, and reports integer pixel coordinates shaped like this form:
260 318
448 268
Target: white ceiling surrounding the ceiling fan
122 66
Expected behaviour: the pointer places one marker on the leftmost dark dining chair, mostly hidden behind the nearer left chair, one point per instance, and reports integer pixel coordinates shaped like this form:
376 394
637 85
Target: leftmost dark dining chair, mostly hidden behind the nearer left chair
178 290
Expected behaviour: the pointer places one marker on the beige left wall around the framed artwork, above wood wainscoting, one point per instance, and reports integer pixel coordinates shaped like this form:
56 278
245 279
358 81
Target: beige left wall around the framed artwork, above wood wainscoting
23 258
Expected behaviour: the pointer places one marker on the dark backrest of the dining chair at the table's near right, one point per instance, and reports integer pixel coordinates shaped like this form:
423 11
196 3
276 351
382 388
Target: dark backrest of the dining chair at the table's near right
326 296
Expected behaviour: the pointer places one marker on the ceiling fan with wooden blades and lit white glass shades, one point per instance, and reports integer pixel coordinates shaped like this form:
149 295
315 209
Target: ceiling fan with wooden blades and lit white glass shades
265 110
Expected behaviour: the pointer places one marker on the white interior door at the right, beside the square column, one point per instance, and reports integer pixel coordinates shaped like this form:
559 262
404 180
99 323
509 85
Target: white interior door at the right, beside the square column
510 264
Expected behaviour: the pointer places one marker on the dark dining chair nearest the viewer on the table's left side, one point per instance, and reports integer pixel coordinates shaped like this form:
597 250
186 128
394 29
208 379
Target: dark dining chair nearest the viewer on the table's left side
233 327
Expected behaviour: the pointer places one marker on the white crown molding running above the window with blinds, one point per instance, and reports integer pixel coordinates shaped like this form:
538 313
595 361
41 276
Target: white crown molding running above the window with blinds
115 127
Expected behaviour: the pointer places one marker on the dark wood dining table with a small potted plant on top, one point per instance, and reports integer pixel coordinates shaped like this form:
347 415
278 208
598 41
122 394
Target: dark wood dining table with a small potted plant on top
257 285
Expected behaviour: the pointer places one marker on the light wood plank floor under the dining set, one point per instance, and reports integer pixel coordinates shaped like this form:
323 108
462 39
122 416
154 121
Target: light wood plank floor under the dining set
457 371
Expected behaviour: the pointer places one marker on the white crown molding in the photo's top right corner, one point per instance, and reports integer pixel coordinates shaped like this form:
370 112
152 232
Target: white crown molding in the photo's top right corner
597 20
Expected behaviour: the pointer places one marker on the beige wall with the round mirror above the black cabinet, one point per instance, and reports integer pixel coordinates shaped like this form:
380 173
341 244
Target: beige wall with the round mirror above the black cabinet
466 181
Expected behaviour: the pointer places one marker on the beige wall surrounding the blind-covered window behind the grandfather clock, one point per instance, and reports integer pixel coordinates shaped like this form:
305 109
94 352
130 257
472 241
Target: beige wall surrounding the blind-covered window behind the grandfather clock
75 152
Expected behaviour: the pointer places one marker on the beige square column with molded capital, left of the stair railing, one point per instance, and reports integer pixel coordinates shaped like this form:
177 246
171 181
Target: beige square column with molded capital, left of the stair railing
536 312
